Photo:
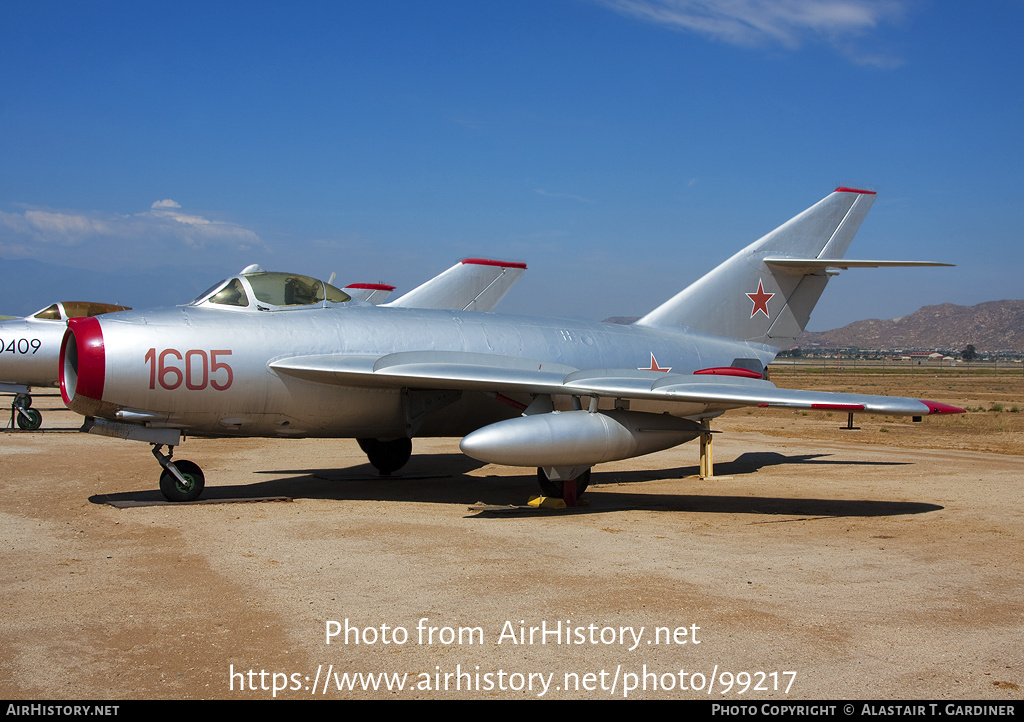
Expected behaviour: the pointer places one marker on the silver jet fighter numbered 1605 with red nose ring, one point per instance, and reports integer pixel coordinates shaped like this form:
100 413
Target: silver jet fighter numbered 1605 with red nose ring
278 355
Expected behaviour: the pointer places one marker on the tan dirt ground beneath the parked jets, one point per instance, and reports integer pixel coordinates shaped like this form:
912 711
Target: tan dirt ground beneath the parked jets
883 563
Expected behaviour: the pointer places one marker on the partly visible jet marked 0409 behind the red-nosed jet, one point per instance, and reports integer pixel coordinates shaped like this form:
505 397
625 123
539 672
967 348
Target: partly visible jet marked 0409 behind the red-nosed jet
30 350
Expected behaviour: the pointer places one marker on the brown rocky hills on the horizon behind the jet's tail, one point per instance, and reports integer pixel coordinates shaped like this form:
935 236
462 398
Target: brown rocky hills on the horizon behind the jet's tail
994 326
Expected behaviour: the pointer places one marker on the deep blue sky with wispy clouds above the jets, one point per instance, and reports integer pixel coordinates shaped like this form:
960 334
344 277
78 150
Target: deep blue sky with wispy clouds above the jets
620 148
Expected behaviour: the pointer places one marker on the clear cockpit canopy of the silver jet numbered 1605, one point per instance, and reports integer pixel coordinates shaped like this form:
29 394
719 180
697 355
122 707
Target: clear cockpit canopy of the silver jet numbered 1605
261 290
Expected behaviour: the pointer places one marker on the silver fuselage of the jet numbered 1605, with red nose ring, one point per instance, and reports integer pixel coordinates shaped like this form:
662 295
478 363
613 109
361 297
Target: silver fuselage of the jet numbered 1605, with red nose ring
197 370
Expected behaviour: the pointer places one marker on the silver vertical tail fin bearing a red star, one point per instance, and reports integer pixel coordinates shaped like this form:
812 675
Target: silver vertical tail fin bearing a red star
752 299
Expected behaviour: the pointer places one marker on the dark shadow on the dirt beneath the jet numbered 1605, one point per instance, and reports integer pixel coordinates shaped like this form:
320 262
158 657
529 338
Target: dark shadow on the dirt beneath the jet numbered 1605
444 479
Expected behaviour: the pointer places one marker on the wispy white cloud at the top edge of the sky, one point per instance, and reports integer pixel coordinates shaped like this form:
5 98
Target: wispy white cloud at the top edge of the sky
787 23
